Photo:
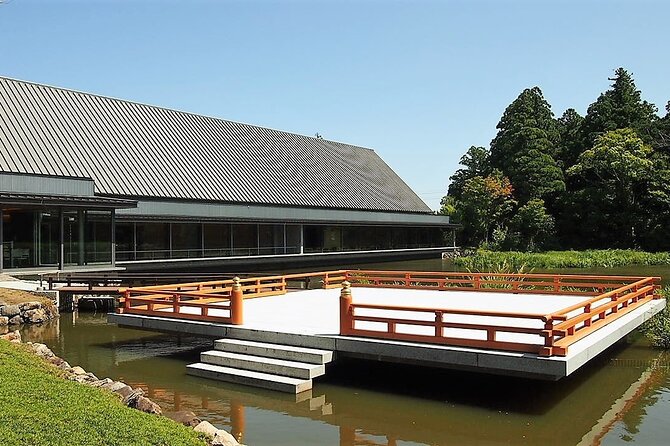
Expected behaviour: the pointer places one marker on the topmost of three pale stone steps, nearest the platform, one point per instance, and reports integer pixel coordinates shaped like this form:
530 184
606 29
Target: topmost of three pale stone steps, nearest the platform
287 352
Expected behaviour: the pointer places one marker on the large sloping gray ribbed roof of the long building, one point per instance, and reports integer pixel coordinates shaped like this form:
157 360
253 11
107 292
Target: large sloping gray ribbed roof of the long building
135 150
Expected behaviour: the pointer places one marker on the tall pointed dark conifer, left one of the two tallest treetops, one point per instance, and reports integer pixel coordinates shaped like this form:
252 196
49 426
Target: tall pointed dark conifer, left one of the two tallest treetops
525 146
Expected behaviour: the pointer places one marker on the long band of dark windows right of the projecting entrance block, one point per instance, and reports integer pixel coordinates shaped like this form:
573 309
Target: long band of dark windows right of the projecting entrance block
161 240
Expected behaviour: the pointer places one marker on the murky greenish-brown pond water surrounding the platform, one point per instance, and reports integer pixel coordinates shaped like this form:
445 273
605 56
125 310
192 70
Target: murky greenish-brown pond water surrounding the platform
621 397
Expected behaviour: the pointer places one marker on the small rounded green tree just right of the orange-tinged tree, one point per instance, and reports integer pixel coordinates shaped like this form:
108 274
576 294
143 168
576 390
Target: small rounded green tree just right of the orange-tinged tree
532 227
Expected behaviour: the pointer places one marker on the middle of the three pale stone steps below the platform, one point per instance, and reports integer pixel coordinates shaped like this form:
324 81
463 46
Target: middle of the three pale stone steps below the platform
262 364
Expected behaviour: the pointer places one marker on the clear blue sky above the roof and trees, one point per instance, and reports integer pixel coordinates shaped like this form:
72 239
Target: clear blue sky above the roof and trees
417 81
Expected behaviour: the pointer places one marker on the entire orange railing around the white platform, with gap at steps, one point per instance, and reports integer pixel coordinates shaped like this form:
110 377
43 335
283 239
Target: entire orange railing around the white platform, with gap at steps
606 298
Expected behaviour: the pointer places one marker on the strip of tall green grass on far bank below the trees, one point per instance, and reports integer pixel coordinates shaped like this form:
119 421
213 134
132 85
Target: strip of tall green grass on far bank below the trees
483 260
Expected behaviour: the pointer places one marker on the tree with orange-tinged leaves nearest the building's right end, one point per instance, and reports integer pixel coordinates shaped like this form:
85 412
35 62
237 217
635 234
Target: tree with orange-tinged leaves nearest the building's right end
484 202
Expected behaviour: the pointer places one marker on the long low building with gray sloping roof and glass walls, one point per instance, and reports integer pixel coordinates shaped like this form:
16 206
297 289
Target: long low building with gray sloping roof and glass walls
91 181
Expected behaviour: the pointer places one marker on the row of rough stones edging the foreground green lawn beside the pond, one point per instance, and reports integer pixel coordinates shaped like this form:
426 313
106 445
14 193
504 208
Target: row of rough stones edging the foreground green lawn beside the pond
133 398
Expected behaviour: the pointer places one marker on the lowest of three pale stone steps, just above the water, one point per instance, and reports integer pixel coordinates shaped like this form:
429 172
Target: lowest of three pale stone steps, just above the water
249 378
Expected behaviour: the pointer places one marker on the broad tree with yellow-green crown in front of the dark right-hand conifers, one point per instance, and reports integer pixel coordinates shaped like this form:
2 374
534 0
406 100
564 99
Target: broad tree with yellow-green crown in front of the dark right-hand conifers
609 180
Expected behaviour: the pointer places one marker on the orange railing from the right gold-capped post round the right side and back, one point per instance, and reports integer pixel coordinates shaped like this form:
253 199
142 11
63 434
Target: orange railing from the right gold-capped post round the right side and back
551 333
